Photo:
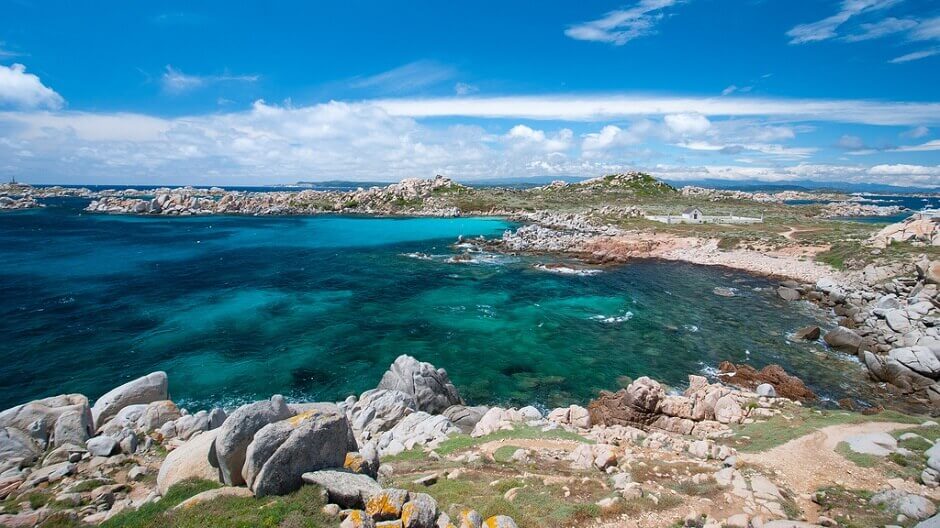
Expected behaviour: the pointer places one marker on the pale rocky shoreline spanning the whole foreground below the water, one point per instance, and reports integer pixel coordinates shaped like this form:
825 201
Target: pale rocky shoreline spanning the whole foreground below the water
93 463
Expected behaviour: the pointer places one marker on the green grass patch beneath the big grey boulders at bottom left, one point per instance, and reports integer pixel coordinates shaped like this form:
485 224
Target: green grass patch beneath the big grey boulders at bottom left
301 509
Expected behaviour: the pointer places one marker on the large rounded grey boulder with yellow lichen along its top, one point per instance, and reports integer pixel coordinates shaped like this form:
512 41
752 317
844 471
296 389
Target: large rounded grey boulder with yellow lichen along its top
283 451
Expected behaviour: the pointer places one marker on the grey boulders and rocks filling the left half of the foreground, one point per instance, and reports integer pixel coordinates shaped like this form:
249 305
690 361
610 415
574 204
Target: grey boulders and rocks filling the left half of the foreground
79 453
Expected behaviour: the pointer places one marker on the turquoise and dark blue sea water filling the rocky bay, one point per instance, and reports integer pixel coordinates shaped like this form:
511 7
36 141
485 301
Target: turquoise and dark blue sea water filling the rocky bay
238 308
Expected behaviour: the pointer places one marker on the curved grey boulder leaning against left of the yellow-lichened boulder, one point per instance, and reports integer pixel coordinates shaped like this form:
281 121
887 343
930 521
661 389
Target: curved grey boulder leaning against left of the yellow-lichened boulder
238 431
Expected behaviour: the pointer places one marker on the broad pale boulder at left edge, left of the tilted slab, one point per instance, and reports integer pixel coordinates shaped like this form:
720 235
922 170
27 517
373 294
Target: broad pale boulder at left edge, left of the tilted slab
39 417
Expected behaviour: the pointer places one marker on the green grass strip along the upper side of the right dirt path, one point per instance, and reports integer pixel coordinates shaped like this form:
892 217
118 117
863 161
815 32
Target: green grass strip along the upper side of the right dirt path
763 435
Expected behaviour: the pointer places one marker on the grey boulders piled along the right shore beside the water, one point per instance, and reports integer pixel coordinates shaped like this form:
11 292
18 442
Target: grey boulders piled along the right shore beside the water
892 325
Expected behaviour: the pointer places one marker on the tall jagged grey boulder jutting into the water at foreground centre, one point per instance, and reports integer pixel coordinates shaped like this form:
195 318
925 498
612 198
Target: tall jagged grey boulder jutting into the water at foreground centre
431 388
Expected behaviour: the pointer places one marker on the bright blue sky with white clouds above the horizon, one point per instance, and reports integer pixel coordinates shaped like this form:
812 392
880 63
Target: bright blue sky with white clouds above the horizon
251 93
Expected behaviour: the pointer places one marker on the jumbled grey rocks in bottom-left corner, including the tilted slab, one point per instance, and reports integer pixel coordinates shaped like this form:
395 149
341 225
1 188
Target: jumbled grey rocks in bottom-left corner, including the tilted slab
91 460
